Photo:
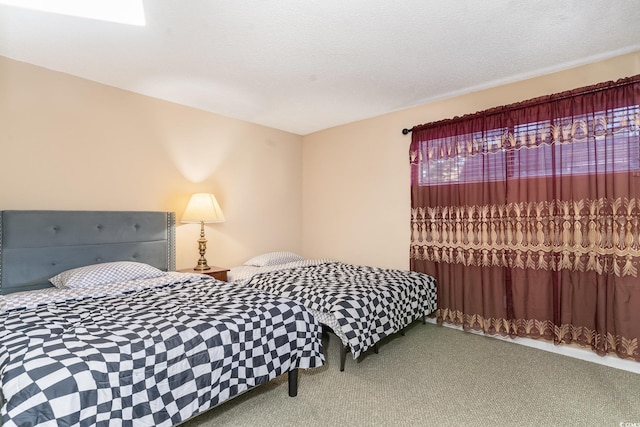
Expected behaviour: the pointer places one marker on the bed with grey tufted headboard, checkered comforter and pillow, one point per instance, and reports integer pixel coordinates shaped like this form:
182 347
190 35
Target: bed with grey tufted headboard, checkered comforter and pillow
122 339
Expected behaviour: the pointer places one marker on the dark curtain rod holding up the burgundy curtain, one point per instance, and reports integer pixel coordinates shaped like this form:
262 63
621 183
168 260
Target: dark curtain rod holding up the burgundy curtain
598 87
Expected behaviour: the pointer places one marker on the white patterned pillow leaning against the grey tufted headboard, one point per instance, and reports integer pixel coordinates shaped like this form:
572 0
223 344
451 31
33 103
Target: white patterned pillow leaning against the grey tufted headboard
102 274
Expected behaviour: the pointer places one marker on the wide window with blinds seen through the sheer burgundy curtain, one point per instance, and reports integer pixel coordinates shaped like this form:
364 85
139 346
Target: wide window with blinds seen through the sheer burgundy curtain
600 142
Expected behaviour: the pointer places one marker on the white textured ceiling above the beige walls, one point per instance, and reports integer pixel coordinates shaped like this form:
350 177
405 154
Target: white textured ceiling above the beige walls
304 66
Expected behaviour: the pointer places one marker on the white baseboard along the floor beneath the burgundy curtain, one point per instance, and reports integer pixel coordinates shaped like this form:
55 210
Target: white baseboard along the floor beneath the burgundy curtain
565 350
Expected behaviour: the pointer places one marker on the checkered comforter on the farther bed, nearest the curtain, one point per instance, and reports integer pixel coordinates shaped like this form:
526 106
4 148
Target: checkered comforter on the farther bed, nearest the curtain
368 303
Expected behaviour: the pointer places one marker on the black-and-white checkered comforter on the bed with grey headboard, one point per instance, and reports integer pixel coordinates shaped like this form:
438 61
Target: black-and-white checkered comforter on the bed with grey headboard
149 357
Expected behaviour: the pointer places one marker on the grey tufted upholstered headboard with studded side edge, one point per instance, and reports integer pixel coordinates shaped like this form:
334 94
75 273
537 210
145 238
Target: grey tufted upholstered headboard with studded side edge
36 245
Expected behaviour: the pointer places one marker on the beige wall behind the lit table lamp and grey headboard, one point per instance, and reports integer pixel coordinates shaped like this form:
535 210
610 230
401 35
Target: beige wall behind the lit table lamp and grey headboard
68 143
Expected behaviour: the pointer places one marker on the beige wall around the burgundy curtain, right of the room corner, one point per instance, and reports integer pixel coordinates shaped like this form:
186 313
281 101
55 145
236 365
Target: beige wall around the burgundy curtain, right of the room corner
356 202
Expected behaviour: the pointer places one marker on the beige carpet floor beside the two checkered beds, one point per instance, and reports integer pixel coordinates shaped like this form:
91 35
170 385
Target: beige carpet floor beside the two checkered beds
438 376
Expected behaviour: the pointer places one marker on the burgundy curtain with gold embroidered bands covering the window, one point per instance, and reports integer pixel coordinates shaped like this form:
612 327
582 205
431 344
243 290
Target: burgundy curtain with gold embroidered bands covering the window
528 216
